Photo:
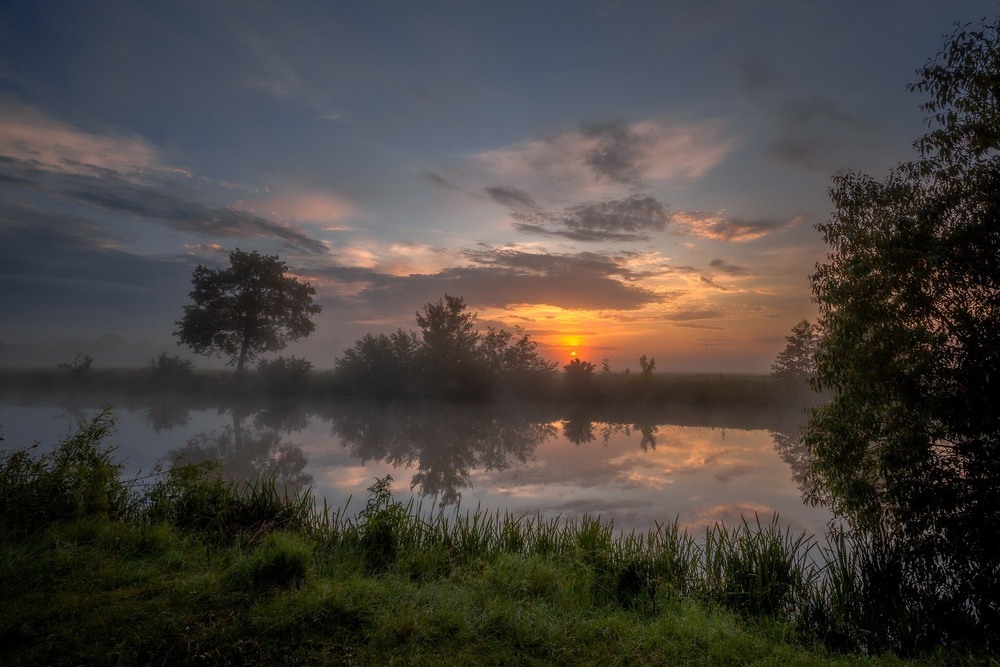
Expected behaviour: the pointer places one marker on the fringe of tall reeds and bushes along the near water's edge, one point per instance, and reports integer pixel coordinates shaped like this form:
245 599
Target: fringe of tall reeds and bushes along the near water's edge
843 593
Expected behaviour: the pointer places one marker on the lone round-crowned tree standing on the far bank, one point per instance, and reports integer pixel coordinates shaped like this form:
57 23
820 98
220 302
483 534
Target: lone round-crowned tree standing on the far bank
248 308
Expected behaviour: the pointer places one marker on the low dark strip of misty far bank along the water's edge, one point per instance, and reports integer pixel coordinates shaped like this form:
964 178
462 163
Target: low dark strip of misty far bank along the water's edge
601 388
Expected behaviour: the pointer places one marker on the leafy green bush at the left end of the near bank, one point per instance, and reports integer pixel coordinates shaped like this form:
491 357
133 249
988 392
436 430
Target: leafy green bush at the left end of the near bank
78 478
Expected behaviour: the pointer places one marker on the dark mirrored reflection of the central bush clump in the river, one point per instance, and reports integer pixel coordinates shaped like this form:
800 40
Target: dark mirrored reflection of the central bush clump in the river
445 442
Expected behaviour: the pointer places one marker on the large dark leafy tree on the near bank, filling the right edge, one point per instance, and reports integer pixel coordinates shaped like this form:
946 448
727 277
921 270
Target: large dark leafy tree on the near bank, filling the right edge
909 300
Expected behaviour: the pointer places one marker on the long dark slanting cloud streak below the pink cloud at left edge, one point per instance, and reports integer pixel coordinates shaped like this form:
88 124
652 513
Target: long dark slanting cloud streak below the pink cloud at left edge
156 200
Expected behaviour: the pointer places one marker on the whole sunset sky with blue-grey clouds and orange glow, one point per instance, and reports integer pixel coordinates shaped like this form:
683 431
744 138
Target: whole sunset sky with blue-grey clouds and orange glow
616 178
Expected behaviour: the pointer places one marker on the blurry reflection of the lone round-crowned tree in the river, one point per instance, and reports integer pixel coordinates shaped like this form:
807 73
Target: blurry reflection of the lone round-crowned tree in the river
248 453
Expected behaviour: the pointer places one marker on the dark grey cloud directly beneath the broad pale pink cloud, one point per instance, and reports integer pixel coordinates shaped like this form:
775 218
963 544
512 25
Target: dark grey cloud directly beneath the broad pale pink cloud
628 219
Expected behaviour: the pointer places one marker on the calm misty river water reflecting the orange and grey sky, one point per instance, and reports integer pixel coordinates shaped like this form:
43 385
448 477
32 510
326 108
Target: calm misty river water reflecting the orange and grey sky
701 468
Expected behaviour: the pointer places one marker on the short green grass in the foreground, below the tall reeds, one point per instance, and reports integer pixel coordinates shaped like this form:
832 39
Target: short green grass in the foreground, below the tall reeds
100 592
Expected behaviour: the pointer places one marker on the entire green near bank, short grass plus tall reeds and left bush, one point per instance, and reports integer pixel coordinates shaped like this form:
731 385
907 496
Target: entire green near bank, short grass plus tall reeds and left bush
185 568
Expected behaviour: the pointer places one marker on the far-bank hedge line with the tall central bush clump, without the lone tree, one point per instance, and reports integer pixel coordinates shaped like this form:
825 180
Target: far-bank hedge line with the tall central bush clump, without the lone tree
447 357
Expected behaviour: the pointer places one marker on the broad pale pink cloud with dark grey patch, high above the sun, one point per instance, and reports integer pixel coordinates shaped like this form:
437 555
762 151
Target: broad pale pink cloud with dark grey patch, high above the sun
600 158
